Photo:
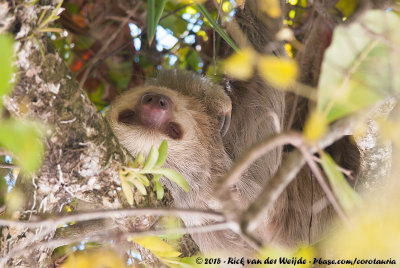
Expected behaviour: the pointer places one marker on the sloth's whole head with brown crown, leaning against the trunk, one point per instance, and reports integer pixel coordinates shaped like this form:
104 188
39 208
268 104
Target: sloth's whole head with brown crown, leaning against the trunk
185 109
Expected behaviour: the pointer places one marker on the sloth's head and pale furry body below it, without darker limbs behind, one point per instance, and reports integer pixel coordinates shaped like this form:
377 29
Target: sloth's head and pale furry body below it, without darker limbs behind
192 114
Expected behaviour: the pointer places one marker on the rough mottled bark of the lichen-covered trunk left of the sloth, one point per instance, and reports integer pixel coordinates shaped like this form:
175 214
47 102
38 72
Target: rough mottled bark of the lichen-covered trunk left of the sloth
82 156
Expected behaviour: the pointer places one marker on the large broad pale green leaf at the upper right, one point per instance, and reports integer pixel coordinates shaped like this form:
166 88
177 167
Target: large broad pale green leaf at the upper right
357 70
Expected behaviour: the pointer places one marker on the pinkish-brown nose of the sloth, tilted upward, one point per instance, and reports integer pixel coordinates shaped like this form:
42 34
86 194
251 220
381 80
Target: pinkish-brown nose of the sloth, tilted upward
155 109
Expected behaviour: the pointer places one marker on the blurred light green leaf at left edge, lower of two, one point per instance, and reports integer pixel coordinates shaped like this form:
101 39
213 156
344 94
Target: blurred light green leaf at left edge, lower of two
24 139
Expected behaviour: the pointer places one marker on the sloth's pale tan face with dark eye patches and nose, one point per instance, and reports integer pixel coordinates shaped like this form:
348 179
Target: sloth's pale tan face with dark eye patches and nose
147 115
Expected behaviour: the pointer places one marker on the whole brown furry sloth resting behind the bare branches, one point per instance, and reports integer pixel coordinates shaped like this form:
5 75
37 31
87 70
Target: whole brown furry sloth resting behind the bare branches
207 128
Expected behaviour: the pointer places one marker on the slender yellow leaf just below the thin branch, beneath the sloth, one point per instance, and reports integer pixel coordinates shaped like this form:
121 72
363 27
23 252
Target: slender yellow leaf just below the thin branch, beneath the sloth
157 246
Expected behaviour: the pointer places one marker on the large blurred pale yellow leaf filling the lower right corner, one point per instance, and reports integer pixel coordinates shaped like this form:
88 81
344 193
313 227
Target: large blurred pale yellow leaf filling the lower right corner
373 232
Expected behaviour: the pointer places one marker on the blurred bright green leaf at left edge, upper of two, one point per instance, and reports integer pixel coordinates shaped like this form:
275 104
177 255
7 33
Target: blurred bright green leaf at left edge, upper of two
6 67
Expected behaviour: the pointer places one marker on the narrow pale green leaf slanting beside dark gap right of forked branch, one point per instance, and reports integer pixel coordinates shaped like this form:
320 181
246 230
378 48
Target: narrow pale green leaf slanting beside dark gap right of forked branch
348 198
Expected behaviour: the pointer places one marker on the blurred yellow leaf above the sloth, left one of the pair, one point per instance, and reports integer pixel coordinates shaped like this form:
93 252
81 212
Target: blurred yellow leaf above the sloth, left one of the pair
240 65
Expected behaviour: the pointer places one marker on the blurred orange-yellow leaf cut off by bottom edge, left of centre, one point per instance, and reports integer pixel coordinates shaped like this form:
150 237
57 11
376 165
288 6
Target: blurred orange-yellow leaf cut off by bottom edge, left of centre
94 259
